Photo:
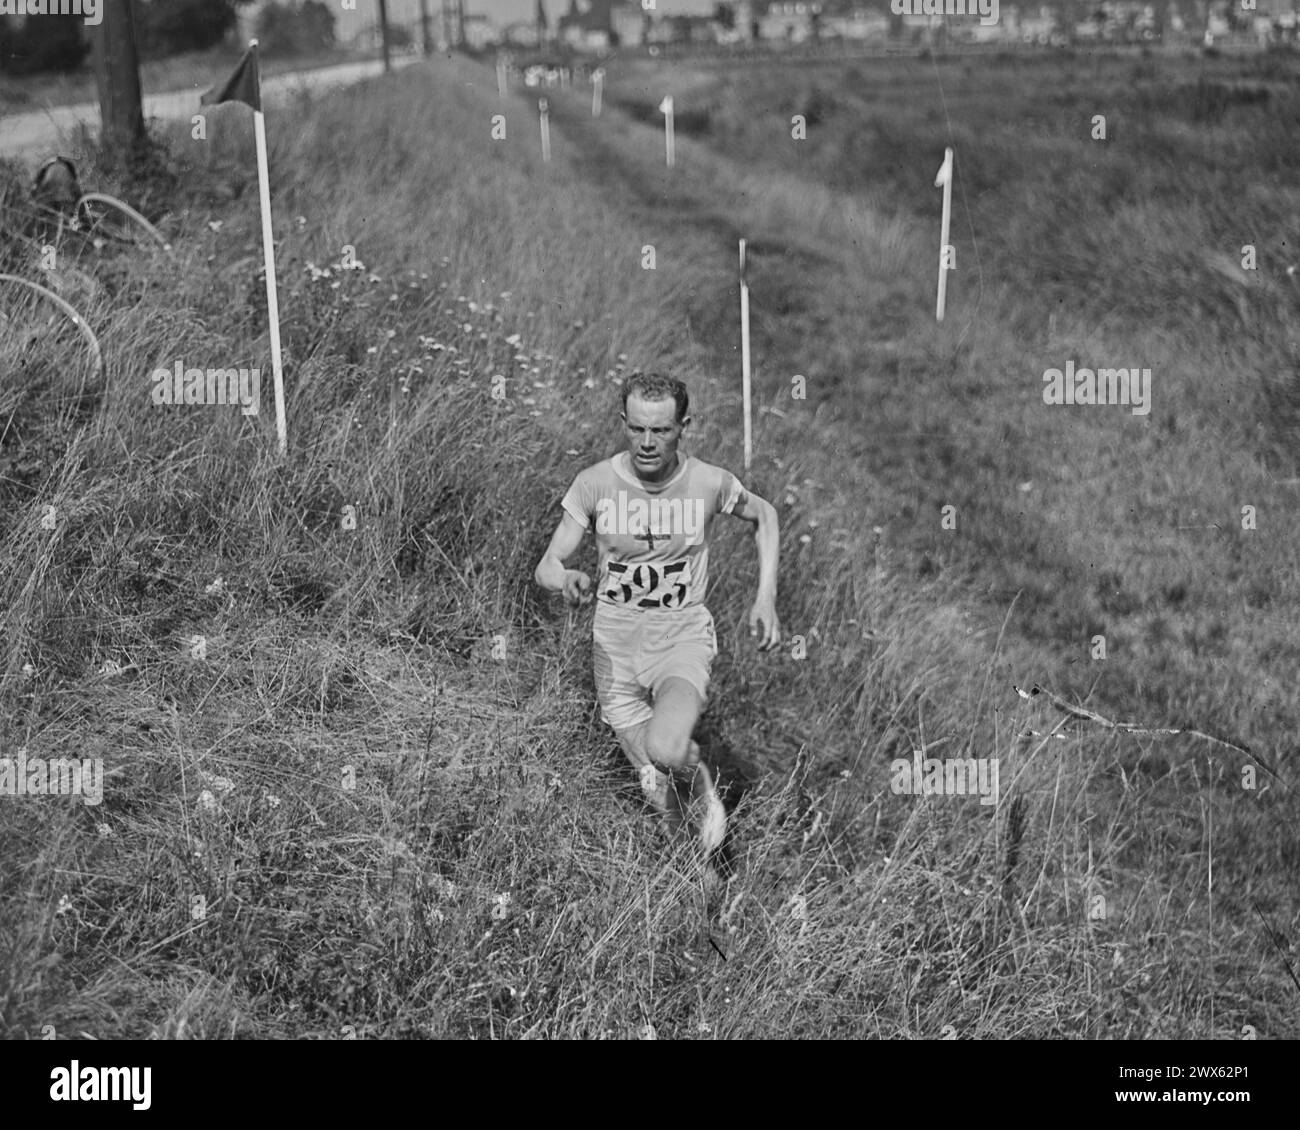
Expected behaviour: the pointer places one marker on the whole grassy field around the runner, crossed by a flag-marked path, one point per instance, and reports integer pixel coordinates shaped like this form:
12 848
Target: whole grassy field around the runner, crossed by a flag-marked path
357 780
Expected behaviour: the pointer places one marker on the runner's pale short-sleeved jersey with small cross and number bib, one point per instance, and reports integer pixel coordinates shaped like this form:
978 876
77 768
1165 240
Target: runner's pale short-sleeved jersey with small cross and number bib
652 539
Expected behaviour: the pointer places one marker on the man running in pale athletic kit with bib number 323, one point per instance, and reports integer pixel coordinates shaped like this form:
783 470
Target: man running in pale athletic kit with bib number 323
652 513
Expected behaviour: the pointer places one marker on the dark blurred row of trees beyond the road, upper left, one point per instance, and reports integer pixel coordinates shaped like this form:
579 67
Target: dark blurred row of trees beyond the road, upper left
38 45
